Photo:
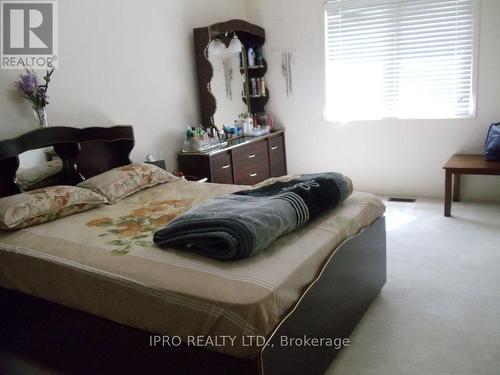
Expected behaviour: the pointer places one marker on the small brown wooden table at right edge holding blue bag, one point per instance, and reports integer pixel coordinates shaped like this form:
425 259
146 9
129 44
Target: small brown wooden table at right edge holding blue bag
460 164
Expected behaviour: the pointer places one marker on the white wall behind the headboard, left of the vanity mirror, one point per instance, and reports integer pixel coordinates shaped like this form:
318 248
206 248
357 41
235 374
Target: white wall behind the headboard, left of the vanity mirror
124 62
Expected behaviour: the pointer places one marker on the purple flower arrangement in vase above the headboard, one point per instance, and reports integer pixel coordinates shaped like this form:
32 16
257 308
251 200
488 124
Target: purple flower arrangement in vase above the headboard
36 93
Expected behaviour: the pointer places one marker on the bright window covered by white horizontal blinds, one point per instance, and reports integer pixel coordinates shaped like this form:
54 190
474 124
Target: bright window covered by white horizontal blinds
399 59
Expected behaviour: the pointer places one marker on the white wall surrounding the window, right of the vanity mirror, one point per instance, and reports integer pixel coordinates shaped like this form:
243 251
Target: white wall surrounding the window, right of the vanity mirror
387 157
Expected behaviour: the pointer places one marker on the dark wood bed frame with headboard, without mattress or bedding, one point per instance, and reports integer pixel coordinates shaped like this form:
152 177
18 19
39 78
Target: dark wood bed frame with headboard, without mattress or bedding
38 336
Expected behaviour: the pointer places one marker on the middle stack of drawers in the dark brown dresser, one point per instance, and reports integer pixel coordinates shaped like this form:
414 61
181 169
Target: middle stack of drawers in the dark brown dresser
251 163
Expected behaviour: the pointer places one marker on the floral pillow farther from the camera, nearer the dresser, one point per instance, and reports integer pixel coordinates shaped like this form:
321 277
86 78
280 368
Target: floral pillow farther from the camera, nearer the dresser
123 181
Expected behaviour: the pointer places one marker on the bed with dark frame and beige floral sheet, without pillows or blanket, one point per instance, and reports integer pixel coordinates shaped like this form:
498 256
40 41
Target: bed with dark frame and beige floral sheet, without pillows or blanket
128 306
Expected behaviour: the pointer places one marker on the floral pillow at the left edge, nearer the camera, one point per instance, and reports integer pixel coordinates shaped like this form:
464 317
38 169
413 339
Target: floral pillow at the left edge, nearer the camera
42 205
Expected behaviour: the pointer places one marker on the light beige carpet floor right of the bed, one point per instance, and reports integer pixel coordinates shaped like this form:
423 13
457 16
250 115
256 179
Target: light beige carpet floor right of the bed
439 312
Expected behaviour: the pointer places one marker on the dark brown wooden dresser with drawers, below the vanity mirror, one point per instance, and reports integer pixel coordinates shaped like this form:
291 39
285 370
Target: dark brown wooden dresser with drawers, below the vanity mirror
243 161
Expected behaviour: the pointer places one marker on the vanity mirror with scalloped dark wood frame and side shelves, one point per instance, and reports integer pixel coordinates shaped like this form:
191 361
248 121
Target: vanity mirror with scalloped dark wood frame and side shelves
231 68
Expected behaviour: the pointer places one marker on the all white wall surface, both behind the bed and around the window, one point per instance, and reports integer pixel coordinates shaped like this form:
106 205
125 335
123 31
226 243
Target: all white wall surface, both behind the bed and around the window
131 62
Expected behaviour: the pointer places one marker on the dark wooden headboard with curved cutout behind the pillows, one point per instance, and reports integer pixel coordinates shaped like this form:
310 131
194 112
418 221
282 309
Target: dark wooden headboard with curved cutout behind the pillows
84 152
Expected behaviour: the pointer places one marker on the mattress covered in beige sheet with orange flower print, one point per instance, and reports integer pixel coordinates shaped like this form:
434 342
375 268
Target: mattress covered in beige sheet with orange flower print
104 262
